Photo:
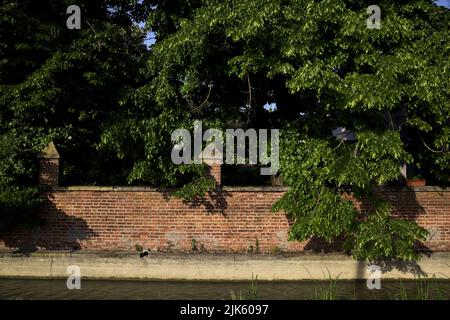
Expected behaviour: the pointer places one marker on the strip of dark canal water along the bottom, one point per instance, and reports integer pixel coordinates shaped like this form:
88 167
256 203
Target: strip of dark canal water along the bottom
136 290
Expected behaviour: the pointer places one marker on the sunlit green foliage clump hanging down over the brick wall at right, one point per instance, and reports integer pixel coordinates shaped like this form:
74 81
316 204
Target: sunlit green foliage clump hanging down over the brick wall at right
320 171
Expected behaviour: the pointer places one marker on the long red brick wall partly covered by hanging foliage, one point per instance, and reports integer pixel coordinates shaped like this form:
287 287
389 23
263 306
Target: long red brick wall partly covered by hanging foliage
120 218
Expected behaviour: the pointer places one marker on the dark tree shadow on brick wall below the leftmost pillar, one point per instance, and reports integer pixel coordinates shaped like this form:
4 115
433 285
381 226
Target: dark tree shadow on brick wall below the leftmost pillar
57 231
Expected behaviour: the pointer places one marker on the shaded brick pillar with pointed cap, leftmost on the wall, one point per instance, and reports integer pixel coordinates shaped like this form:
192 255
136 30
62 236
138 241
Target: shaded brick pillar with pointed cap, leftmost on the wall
49 166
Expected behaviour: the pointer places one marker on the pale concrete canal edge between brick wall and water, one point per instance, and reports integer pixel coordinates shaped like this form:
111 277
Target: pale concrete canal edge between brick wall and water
225 267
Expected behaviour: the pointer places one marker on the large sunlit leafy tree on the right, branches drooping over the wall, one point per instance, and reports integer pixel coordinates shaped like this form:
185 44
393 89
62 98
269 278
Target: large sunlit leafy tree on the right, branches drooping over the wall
317 60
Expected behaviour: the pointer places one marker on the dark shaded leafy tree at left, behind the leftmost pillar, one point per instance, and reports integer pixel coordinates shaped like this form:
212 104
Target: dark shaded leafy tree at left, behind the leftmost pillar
60 84
